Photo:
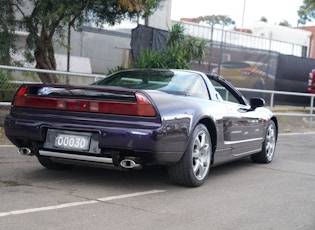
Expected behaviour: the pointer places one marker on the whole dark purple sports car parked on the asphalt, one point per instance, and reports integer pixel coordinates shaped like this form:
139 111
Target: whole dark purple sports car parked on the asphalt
185 120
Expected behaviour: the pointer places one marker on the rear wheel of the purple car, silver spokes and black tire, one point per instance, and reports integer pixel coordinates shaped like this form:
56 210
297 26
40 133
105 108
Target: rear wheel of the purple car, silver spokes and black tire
193 168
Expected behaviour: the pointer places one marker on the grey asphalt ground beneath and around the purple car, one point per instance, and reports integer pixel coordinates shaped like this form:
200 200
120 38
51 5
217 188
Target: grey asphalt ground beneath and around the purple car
240 195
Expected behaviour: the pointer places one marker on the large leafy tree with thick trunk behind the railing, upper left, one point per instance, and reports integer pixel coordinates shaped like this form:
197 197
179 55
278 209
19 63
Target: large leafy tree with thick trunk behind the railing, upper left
46 20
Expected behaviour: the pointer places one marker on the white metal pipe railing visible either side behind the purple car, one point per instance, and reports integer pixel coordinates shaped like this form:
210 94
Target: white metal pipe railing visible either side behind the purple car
272 94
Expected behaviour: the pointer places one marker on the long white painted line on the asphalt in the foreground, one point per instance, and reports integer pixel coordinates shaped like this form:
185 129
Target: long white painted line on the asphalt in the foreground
72 204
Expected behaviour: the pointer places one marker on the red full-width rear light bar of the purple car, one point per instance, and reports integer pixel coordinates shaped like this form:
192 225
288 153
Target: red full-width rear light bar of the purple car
143 106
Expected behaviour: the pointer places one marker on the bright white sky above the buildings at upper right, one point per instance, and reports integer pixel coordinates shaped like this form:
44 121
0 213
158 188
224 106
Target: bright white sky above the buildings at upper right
274 11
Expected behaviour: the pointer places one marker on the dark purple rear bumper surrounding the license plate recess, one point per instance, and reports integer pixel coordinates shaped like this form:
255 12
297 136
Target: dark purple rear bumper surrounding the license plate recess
157 145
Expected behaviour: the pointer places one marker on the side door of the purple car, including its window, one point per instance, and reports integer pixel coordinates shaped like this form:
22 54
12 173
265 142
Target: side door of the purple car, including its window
242 126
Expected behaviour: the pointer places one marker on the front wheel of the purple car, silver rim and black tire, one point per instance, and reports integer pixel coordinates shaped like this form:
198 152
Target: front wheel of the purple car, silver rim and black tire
269 145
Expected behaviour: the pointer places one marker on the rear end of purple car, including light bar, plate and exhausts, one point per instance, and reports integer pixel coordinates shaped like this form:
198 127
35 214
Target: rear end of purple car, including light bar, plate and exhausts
98 125
